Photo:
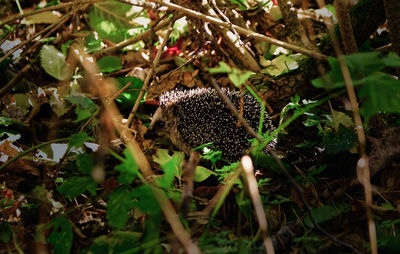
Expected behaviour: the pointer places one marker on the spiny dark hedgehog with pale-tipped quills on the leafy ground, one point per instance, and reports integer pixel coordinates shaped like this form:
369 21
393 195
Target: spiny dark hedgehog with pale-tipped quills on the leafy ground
190 118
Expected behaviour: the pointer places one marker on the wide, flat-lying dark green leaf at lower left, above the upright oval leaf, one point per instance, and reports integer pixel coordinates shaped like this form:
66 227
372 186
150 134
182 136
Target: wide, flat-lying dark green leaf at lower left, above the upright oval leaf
76 185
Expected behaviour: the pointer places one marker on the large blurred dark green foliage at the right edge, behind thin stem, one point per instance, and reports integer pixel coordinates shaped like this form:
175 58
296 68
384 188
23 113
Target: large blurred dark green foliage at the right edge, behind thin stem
379 91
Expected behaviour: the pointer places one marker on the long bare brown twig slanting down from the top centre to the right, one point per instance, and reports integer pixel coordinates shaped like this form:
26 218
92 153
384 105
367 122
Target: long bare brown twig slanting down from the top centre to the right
242 30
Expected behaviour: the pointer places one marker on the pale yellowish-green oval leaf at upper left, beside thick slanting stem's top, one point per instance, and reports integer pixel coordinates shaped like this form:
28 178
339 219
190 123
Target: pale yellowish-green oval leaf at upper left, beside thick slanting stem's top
53 62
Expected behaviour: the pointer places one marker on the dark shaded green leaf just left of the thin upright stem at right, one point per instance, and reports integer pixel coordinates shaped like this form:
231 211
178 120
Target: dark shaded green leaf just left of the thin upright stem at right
339 141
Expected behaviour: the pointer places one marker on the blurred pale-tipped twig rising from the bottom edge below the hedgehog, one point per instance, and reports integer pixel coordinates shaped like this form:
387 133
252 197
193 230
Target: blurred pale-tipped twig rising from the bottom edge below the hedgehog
248 169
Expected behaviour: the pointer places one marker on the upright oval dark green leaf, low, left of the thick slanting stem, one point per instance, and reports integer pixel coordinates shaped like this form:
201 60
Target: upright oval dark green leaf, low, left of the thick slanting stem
118 206
